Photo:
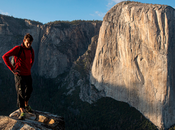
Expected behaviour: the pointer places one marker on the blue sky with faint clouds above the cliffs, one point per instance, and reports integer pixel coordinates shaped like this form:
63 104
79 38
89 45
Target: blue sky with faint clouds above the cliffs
45 11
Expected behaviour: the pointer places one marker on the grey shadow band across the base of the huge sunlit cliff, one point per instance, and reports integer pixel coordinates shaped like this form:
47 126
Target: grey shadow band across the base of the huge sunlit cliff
124 94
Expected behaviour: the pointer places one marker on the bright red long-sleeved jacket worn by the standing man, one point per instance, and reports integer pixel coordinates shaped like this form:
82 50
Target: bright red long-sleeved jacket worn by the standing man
24 62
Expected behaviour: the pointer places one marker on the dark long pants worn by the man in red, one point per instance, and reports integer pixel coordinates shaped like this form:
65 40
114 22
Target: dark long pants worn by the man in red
23 89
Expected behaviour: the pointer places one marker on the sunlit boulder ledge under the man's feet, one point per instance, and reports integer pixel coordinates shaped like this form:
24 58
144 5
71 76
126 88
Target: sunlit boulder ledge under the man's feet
34 121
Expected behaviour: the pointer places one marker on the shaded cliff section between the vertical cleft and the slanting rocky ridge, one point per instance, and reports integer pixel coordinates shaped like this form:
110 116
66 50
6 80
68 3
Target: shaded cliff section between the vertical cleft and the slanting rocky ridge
61 45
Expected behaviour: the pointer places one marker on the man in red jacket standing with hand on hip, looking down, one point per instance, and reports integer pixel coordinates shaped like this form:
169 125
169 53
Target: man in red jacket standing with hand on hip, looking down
23 58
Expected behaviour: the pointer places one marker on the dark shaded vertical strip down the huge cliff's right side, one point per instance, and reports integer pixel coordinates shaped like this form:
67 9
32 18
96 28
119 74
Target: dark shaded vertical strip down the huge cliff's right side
169 104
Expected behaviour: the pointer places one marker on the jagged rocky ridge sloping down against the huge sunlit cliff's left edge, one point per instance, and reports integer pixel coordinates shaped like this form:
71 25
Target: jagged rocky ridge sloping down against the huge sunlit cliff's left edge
79 76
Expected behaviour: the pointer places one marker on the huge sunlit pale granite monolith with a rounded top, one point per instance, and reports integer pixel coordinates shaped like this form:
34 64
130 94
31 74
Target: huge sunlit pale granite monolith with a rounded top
134 60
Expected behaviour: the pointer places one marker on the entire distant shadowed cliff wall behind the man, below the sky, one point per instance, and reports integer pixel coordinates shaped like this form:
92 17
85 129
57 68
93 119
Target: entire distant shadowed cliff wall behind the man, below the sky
56 46
